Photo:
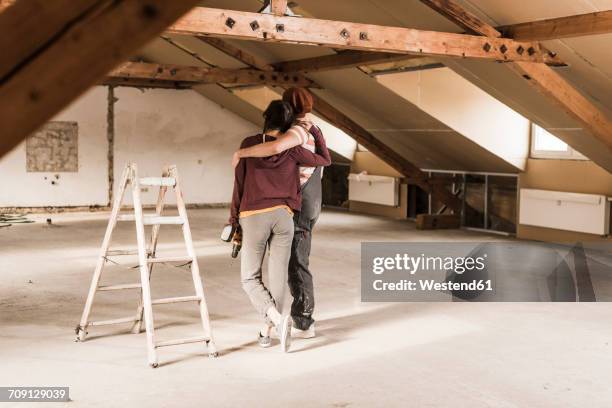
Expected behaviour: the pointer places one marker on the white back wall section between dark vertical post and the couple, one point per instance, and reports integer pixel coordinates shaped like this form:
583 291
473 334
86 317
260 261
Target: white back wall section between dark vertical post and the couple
156 127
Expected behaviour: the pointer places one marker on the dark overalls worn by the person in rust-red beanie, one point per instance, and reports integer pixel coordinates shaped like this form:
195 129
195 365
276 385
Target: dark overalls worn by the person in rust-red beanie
300 278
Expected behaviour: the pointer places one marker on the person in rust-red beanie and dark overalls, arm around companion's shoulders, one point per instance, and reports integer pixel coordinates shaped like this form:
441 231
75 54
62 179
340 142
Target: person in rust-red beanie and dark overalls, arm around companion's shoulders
302 133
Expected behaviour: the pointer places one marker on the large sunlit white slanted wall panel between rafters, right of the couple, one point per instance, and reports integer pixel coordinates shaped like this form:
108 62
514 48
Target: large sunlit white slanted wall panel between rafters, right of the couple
467 109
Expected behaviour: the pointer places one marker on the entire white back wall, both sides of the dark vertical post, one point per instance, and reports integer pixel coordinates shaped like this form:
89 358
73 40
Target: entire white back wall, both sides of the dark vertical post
152 128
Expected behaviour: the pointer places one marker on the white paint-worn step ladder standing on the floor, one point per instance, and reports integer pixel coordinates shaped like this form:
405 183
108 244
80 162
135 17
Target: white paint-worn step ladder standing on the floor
146 261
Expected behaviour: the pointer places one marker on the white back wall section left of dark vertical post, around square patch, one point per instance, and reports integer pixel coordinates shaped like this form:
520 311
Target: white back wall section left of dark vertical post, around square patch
88 186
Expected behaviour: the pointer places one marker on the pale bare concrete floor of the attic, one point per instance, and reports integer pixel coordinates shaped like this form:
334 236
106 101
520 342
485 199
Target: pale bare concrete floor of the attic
392 355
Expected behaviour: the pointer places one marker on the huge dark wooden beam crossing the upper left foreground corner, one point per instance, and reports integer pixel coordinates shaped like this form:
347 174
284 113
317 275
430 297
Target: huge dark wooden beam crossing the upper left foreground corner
58 68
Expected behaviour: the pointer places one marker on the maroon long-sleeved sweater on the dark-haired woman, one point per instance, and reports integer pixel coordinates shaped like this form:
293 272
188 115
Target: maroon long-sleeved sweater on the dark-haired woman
270 181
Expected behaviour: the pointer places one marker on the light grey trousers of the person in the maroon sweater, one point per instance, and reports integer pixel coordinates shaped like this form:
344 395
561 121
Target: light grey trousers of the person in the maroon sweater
276 229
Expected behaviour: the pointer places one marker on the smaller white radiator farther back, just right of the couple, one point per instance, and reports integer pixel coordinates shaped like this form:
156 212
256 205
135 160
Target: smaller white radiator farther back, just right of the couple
374 189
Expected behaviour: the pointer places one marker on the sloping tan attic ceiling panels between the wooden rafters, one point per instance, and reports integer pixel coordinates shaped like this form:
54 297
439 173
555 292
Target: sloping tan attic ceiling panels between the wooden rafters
418 137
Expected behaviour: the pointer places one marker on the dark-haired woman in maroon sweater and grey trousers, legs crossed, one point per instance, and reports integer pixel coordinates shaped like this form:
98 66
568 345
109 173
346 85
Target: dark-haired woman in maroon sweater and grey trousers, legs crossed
266 195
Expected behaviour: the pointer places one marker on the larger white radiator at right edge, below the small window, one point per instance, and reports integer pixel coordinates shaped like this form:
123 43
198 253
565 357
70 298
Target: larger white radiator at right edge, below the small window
587 213
